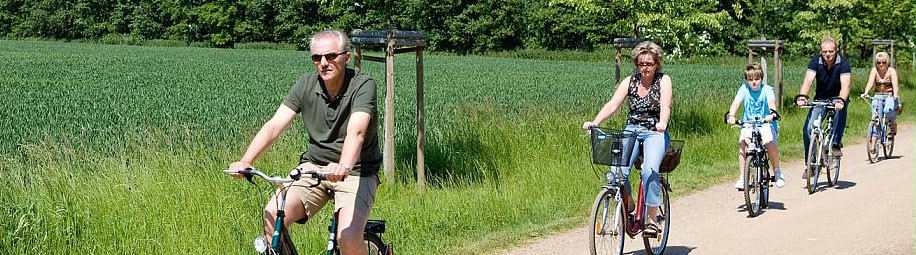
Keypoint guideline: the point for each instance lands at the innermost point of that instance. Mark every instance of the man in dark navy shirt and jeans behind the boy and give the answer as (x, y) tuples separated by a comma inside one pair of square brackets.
[(833, 76)]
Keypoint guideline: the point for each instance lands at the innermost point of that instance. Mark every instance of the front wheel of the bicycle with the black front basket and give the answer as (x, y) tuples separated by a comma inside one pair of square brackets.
[(605, 236)]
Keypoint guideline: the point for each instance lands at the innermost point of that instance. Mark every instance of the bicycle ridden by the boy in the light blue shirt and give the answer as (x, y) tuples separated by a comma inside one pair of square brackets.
[(756, 181)]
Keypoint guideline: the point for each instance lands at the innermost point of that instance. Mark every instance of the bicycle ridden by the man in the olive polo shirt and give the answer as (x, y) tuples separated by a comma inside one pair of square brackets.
[(281, 243)]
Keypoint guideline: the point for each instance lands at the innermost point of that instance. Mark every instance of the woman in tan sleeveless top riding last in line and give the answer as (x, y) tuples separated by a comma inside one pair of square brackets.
[(884, 78)]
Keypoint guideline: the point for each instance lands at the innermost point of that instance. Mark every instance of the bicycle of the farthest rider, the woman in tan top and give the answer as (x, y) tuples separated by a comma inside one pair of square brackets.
[(877, 130)]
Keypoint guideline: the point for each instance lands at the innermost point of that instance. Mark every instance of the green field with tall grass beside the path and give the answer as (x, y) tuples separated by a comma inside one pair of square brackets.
[(117, 149)]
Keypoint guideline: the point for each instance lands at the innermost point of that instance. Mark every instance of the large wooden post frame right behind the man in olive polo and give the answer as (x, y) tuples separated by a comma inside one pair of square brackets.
[(396, 42)]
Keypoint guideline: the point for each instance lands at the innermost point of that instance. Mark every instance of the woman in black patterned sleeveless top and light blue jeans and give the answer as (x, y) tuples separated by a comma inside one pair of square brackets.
[(649, 92)]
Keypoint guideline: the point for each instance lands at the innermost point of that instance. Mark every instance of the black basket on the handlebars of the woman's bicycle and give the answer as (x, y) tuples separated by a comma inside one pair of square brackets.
[(612, 148)]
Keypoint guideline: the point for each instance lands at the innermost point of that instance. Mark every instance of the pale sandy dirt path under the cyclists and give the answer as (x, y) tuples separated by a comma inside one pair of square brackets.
[(871, 211)]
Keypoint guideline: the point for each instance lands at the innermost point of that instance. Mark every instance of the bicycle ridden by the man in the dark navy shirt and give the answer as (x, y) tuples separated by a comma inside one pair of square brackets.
[(820, 153)]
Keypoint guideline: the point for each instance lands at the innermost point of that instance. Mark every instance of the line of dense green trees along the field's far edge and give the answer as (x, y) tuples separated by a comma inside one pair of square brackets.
[(684, 27)]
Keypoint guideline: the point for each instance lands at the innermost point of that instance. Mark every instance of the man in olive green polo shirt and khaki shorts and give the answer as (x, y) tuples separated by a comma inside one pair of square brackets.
[(338, 108)]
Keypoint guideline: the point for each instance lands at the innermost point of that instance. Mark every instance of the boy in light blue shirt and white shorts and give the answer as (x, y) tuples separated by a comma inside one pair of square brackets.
[(759, 102)]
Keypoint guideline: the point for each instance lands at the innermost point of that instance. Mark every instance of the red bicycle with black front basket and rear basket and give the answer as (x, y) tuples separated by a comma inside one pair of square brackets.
[(610, 216)]
